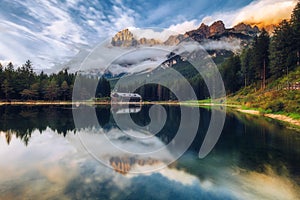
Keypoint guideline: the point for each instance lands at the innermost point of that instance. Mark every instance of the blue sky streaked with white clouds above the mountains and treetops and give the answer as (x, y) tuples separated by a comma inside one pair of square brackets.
[(51, 32)]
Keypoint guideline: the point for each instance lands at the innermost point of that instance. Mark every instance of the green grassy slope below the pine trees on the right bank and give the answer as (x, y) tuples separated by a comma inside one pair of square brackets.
[(274, 99)]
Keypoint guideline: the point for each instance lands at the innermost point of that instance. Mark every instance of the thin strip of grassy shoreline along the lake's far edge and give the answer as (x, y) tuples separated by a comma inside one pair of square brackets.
[(284, 117)]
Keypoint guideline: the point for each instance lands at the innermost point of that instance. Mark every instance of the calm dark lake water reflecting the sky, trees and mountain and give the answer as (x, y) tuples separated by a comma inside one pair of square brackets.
[(43, 156)]
